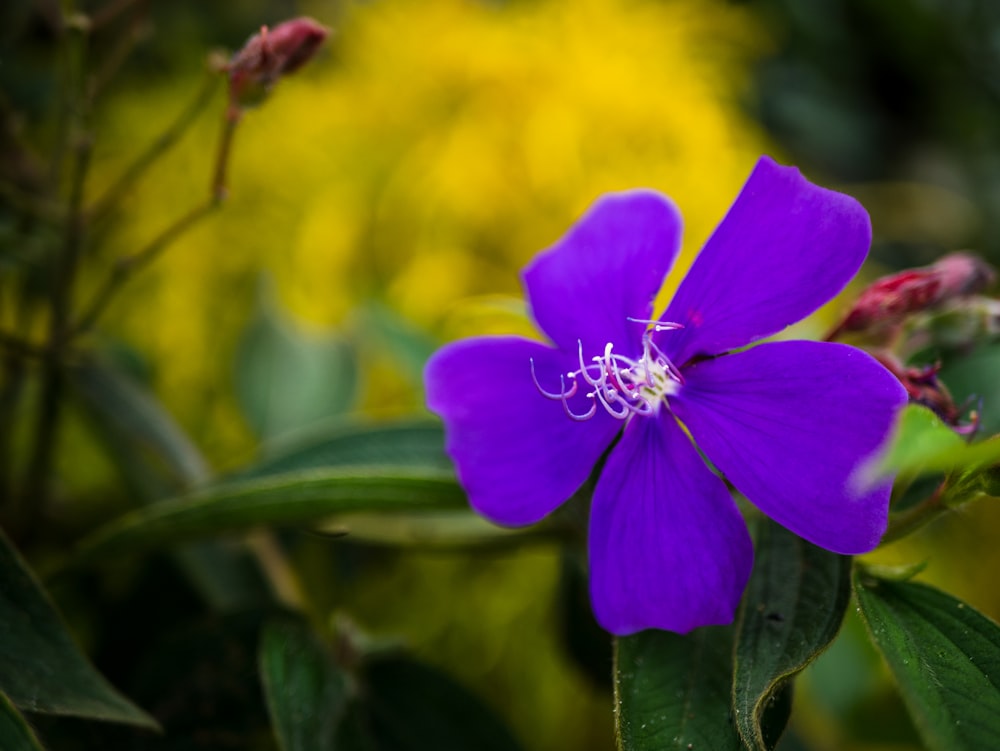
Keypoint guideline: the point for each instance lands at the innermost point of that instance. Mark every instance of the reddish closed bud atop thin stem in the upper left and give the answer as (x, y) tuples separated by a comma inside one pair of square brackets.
[(271, 54)]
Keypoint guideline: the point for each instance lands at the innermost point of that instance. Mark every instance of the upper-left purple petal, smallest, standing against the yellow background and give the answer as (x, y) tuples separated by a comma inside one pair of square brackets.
[(607, 268)]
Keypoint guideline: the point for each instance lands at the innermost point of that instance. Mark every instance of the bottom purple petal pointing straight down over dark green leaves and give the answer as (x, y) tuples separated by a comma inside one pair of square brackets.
[(668, 548)]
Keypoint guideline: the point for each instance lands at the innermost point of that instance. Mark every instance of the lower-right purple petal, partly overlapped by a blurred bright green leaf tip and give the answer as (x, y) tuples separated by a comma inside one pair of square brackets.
[(788, 423)]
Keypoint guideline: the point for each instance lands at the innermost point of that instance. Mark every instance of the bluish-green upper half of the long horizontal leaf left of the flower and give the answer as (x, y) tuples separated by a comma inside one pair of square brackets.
[(409, 443)]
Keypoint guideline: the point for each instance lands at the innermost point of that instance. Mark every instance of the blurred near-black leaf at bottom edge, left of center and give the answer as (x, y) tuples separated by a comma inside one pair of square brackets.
[(408, 706)]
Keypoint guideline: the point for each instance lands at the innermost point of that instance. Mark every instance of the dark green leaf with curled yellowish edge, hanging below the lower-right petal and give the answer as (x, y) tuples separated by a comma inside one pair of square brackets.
[(792, 610)]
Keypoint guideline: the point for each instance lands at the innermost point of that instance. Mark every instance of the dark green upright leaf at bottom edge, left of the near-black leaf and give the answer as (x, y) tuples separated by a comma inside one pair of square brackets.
[(306, 691)]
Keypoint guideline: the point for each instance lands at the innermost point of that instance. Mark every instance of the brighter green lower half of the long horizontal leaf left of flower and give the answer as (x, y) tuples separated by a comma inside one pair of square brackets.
[(296, 498)]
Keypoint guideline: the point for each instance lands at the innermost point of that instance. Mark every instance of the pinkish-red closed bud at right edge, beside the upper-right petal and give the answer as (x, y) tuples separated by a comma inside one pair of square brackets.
[(890, 299)]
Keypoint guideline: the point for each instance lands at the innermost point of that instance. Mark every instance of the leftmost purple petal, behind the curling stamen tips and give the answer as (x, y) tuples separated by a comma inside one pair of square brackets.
[(518, 455)]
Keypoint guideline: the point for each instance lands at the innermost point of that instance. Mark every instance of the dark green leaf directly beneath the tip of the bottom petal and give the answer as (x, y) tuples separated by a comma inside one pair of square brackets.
[(673, 691)]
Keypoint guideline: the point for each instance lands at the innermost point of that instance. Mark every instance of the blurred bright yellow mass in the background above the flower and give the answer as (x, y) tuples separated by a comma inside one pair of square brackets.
[(421, 162)]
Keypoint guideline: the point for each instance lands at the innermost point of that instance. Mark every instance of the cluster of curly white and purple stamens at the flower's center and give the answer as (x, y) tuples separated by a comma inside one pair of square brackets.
[(622, 385)]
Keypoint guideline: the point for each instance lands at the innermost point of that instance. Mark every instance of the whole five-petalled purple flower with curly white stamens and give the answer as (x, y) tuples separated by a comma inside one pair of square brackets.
[(786, 423)]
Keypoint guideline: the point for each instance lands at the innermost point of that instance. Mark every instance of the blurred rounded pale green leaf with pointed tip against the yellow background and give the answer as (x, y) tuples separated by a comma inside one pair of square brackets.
[(288, 378)]
